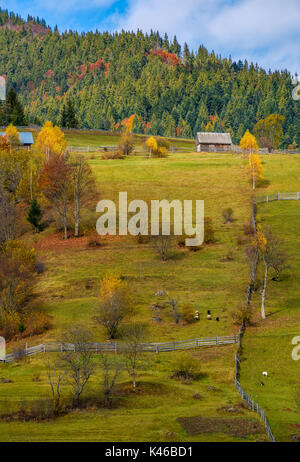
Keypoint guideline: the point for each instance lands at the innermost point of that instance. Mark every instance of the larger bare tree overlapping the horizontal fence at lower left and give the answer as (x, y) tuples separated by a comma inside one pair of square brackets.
[(79, 359)]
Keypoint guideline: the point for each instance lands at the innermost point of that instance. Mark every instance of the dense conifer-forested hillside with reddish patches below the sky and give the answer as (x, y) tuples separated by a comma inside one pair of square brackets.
[(171, 90)]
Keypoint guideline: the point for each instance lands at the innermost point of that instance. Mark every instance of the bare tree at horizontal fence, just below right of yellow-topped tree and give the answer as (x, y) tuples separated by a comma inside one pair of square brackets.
[(134, 335)]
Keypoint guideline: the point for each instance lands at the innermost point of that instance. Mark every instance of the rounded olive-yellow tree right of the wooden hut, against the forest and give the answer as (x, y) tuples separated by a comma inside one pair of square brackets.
[(269, 131)]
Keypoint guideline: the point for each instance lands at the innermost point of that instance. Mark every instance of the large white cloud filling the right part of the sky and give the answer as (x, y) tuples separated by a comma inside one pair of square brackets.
[(266, 31)]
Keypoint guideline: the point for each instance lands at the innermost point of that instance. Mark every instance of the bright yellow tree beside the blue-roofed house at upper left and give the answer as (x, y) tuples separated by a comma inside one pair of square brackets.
[(50, 140)]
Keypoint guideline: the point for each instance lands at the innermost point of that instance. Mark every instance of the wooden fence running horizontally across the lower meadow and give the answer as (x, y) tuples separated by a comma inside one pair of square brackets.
[(122, 347)]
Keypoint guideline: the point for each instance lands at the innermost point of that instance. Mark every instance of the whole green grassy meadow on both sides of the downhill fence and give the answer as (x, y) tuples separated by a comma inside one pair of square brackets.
[(206, 280)]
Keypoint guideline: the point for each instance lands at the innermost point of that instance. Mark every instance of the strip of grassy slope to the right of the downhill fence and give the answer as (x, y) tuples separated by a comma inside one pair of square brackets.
[(268, 345)]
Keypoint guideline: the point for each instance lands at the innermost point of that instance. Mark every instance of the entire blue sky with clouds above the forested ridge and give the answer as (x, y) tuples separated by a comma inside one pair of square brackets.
[(262, 31)]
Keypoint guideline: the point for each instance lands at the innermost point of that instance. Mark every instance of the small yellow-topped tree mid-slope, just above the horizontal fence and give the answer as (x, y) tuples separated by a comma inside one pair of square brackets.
[(115, 304)]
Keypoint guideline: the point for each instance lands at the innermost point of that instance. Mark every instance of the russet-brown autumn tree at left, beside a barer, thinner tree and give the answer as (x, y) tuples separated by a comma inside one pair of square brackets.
[(55, 181)]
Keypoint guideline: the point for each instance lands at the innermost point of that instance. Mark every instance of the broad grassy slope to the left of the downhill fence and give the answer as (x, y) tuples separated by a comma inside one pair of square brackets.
[(71, 285)]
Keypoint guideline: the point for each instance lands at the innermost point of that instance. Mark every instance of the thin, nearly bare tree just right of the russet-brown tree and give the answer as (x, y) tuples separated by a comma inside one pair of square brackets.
[(83, 185)]
